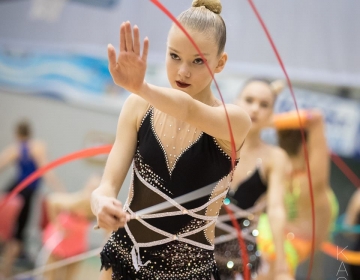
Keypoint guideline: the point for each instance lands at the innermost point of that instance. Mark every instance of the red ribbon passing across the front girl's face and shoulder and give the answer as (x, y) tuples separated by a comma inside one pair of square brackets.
[(232, 141)]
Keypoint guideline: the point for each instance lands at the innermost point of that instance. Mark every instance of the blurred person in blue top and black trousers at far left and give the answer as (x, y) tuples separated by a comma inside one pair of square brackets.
[(27, 155)]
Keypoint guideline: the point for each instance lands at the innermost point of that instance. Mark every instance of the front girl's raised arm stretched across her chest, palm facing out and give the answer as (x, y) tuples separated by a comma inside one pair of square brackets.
[(128, 71)]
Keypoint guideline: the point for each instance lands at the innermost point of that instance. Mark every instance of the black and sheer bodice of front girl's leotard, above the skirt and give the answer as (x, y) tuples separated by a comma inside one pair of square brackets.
[(167, 167)]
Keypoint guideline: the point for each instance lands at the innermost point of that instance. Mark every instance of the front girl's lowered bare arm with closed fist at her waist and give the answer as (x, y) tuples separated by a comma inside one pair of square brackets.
[(104, 204)]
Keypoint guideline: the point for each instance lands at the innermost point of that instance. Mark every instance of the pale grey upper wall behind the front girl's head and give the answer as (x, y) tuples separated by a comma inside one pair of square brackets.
[(318, 40)]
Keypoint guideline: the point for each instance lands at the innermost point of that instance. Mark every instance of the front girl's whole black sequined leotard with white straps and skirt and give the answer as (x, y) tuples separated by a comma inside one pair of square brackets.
[(174, 160)]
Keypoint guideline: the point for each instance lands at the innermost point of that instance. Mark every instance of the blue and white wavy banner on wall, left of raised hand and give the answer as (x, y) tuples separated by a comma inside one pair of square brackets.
[(74, 78)]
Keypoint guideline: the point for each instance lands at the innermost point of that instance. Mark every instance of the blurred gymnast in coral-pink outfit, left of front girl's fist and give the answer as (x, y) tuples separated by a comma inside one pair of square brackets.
[(65, 235)]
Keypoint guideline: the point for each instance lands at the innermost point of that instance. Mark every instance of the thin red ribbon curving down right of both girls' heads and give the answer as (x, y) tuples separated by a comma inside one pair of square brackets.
[(267, 33)]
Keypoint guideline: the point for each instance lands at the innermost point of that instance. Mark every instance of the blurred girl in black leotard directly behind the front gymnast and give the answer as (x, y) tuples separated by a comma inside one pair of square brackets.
[(259, 183)]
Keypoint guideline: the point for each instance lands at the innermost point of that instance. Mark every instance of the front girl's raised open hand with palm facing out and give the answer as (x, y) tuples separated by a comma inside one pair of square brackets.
[(128, 70)]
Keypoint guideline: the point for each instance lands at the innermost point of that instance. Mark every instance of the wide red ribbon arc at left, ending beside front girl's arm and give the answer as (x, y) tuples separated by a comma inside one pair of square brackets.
[(41, 171)]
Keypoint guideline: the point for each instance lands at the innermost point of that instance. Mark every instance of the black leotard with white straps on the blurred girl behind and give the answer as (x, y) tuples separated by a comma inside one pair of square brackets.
[(243, 203)]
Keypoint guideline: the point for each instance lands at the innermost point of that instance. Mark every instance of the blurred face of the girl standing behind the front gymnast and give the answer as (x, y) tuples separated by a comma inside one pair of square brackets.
[(258, 101)]
